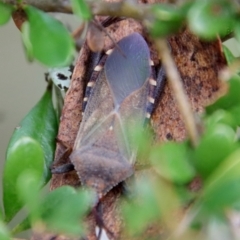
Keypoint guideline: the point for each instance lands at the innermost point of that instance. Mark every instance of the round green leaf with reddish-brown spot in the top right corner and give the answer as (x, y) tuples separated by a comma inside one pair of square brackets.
[(210, 18)]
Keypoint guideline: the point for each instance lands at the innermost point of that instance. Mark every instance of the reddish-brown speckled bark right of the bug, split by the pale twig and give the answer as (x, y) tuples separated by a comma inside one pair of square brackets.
[(198, 63)]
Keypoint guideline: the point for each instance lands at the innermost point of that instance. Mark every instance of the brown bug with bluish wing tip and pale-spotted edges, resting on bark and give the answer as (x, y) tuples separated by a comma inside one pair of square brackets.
[(102, 154)]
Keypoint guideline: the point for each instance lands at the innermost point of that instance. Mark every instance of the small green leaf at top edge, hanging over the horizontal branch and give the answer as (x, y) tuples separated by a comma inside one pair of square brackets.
[(81, 9)]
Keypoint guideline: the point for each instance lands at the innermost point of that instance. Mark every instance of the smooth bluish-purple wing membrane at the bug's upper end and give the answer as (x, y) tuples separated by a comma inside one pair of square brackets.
[(128, 70)]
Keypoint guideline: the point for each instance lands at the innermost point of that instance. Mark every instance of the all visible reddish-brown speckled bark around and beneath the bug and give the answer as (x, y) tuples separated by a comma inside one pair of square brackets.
[(198, 63)]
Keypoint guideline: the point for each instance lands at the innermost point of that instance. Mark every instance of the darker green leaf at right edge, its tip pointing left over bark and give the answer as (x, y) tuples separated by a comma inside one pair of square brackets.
[(231, 99)]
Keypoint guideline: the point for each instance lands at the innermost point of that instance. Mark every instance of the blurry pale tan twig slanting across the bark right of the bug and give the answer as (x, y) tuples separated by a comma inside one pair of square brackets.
[(178, 89)]
